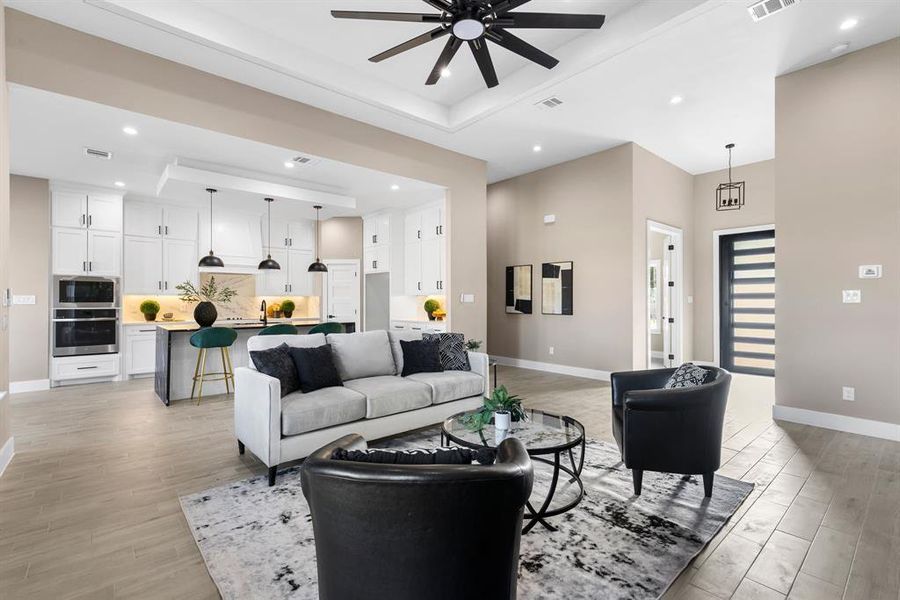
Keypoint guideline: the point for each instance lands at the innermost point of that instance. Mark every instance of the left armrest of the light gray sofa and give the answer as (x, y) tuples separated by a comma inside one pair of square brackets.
[(257, 414)]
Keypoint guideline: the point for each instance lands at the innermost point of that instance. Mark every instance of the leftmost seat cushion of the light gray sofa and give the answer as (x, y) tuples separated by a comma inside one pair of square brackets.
[(319, 409)]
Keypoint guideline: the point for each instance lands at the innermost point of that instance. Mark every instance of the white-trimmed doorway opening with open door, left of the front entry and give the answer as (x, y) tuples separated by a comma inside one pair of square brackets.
[(664, 287)]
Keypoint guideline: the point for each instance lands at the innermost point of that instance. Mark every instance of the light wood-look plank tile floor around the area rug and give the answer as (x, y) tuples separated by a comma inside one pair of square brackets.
[(89, 506)]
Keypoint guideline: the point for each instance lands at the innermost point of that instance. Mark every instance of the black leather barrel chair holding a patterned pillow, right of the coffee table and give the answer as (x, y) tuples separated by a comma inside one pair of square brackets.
[(675, 430)]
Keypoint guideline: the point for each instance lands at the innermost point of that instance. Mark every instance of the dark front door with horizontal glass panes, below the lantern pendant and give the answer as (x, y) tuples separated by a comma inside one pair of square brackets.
[(747, 303)]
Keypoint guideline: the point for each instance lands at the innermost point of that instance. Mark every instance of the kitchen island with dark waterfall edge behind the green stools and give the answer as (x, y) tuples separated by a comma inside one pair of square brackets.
[(176, 358)]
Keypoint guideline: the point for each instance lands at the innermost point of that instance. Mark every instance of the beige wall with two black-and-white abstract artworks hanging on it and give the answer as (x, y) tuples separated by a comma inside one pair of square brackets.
[(591, 198)]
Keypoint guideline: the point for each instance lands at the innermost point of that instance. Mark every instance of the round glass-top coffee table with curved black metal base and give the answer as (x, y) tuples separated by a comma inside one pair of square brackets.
[(549, 439)]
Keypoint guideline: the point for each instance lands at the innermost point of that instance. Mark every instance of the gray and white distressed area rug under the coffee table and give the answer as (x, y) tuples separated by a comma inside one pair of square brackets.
[(258, 541)]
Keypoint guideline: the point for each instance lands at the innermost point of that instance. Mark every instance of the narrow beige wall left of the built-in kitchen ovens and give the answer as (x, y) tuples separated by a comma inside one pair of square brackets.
[(29, 274)]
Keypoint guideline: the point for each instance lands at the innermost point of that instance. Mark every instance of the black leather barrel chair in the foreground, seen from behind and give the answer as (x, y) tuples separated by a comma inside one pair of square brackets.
[(410, 532)]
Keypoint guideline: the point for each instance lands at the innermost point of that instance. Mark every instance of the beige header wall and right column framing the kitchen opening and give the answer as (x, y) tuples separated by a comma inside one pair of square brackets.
[(44, 55)]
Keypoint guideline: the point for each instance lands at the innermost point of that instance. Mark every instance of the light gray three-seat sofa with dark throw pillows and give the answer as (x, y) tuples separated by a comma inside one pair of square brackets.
[(374, 402)]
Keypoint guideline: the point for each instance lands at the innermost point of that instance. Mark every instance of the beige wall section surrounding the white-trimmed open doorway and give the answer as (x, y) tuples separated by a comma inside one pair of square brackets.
[(662, 193)]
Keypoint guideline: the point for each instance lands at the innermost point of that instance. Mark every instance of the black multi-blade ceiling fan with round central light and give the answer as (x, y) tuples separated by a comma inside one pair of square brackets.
[(477, 22)]
